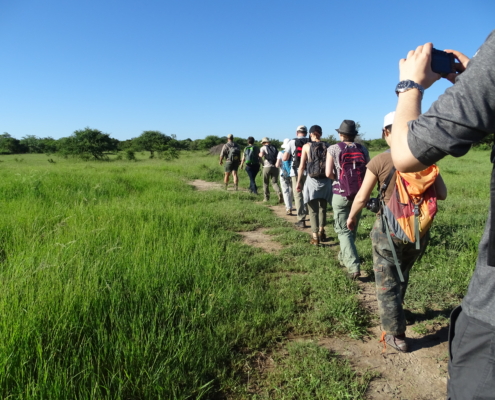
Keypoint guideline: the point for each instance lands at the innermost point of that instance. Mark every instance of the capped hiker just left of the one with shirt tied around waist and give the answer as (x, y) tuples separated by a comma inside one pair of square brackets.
[(293, 153)]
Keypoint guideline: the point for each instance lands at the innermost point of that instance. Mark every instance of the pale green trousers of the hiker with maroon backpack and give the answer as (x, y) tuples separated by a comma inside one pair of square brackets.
[(348, 255)]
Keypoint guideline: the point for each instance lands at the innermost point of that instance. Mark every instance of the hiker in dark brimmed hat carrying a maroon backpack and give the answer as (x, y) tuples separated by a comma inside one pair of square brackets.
[(346, 165)]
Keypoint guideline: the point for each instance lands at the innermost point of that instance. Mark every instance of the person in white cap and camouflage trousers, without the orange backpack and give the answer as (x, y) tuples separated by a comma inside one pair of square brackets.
[(390, 286)]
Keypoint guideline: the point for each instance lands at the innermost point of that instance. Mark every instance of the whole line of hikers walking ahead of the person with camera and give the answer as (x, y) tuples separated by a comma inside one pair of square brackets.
[(314, 174)]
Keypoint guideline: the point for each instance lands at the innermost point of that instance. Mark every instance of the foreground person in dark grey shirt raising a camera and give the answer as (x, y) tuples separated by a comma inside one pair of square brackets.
[(463, 115)]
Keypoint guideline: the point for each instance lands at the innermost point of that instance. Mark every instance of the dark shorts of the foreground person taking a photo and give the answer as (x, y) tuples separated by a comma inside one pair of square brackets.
[(472, 358)]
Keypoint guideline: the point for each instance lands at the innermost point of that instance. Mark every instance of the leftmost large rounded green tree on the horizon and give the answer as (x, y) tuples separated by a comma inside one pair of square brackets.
[(88, 142)]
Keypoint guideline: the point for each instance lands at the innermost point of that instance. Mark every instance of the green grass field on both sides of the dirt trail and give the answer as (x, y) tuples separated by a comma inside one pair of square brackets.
[(119, 281)]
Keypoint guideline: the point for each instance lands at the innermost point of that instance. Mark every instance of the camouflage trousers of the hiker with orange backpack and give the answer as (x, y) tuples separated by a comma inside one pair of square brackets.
[(390, 291)]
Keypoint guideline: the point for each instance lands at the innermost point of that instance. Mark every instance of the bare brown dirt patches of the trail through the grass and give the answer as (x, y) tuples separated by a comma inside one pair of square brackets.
[(420, 374)]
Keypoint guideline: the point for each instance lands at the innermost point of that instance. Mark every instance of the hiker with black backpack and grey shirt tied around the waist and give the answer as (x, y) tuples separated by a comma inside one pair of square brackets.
[(317, 189)]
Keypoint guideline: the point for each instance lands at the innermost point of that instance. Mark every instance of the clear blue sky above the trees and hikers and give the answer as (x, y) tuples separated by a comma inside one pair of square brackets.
[(208, 67)]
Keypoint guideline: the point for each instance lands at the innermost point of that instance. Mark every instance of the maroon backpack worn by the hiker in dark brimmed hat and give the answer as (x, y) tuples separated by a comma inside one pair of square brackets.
[(352, 169)]
